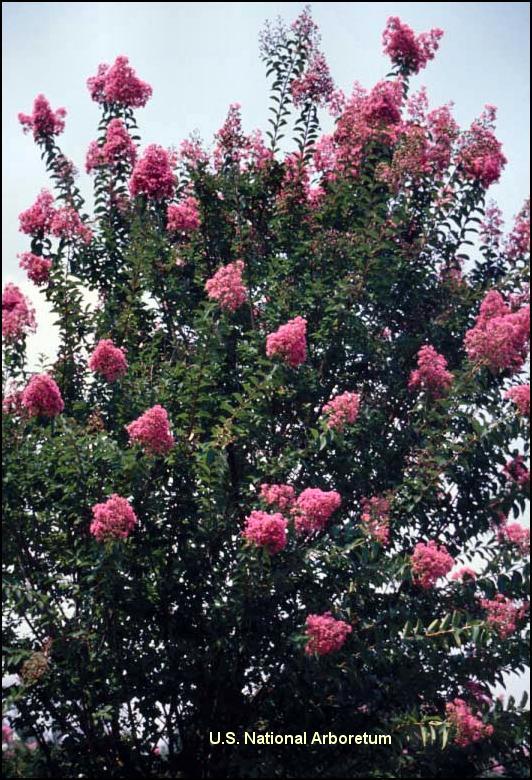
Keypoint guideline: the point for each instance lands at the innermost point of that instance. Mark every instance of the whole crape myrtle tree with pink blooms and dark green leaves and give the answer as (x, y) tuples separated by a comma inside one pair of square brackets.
[(271, 481)]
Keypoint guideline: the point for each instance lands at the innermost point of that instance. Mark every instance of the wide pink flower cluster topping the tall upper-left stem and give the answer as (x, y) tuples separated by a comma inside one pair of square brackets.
[(120, 84)]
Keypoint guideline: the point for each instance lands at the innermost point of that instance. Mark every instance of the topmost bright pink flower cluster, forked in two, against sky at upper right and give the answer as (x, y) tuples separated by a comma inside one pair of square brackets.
[(410, 52)]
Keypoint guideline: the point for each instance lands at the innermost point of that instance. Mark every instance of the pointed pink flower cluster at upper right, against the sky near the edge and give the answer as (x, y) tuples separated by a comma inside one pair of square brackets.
[(480, 154)]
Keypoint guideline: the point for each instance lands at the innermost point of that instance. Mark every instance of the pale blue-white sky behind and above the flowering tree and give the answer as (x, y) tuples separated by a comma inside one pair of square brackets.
[(200, 57)]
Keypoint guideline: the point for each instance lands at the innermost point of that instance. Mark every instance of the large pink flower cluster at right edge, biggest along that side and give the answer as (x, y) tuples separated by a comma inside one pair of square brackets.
[(500, 338)]
